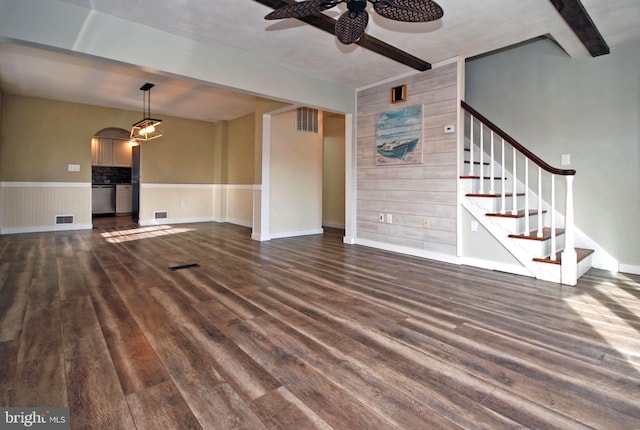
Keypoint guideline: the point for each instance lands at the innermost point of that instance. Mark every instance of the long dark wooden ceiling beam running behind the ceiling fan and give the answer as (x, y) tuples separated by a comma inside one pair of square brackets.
[(328, 24)]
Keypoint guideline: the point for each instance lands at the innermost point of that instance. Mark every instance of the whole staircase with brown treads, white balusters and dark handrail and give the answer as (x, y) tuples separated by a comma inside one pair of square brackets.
[(496, 182)]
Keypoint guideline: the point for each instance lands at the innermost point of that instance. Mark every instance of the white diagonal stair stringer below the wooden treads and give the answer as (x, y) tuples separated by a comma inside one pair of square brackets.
[(550, 273)]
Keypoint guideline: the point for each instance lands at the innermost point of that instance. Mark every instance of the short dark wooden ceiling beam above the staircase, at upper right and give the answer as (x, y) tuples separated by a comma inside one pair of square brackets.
[(580, 22)]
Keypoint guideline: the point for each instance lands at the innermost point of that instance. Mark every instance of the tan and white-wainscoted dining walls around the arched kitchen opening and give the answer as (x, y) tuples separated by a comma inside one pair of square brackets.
[(41, 137)]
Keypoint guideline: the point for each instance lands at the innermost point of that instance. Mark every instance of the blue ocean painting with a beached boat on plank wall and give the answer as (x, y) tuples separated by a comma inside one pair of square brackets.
[(399, 136)]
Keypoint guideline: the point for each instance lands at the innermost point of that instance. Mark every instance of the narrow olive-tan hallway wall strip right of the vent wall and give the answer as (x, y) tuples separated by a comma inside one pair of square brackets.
[(333, 174)]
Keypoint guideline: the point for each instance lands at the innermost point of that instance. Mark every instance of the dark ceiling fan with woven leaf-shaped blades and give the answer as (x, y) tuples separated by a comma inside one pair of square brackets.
[(351, 24)]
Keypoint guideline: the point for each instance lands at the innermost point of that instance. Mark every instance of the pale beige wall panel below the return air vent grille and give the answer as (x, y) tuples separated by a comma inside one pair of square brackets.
[(295, 179)]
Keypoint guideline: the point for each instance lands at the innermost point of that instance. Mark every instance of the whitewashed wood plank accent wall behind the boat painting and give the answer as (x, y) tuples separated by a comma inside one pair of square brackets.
[(410, 193)]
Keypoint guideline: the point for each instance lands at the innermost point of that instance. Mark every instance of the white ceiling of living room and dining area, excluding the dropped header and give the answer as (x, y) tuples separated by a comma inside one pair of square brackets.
[(468, 28)]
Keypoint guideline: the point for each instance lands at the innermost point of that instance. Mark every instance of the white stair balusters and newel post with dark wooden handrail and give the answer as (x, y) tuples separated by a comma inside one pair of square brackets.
[(520, 154)]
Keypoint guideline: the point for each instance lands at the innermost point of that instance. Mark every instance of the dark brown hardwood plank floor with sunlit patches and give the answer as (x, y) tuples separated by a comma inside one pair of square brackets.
[(305, 333)]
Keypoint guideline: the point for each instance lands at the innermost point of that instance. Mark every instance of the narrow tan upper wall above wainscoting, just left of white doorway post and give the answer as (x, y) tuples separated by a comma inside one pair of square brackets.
[(241, 142)]
